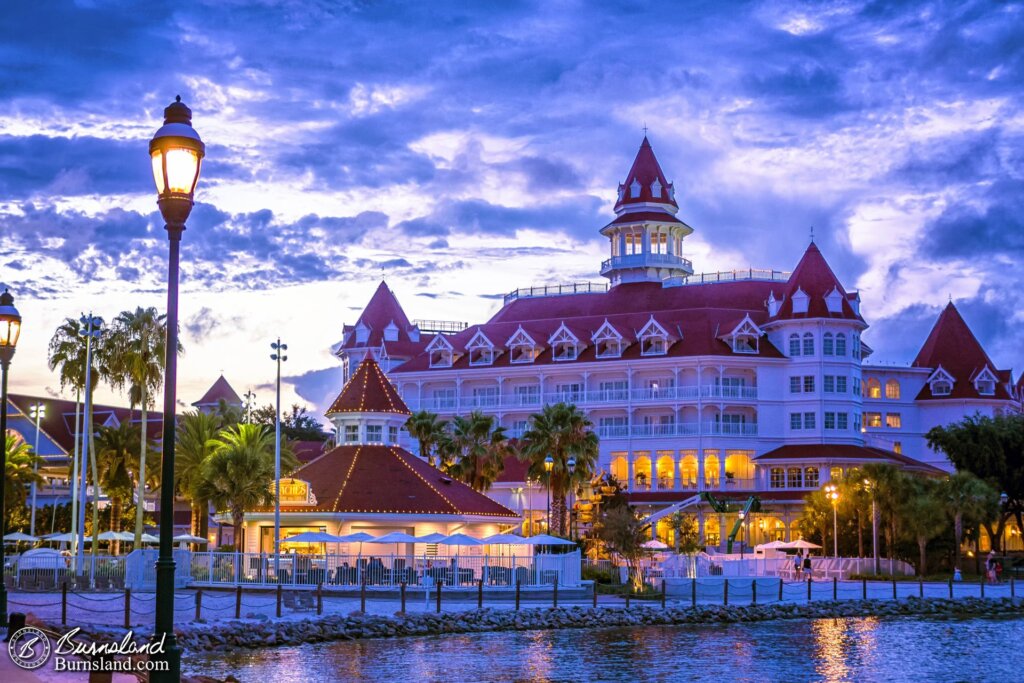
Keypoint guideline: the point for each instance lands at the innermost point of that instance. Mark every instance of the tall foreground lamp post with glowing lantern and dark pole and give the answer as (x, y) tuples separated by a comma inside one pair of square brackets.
[(177, 152)]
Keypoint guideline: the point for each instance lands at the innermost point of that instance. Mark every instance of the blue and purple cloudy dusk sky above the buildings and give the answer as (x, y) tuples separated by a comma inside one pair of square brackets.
[(461, 150)]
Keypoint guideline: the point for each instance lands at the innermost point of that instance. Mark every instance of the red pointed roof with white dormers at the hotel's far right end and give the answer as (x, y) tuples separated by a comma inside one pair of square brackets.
[(954, 347)]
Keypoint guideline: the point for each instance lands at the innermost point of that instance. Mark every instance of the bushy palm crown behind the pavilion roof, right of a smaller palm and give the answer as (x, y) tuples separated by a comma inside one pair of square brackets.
[(475, 451)]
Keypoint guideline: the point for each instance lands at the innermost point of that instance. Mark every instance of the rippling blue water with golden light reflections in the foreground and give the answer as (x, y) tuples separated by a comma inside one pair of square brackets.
[(844, 650)]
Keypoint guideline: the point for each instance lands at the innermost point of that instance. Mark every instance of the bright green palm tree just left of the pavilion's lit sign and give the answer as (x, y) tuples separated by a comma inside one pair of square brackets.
[(239, 475)]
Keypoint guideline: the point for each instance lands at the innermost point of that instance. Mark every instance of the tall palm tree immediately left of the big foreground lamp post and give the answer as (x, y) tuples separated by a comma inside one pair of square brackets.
[(136, 358)]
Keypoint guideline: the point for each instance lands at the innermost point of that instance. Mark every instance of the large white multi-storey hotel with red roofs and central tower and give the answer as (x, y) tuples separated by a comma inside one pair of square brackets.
[(747, 383)]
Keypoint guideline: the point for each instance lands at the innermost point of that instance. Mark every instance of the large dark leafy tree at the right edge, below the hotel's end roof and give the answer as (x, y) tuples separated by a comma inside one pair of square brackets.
[(992, 449)]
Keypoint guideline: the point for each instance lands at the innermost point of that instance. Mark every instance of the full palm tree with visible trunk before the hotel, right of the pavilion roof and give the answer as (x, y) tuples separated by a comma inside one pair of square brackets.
[(562, 432)]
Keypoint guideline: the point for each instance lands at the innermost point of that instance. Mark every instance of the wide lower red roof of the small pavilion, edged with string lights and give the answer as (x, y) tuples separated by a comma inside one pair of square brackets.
[(390, 480)]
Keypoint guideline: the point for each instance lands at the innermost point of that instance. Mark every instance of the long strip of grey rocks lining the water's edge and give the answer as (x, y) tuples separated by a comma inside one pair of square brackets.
[(259, 634)]
